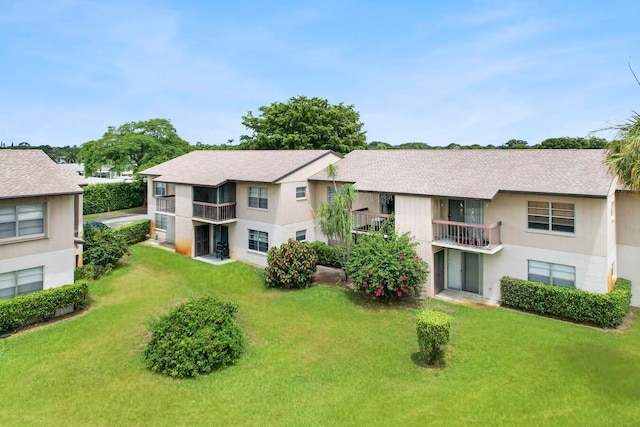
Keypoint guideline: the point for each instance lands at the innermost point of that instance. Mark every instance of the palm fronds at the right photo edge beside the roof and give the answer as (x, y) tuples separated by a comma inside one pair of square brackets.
[(623, 156)]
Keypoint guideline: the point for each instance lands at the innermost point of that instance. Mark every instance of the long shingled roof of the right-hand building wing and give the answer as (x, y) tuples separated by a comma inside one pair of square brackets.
[(477, 174)]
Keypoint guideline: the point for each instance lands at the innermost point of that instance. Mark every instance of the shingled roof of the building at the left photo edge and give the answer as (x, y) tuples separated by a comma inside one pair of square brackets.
[(25, 173)]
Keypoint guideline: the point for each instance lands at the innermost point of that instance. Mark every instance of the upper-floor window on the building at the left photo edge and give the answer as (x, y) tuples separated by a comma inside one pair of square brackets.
[(21, 220)]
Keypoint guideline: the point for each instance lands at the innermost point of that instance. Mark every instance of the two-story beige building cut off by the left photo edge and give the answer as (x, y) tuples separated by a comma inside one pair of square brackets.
[(40, 223)]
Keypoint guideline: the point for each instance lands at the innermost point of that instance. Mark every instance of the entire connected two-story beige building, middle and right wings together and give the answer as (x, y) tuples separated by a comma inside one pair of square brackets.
[(554, 216)]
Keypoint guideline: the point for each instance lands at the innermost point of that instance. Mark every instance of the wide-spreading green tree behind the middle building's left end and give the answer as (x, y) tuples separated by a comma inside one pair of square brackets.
[(134, 146)]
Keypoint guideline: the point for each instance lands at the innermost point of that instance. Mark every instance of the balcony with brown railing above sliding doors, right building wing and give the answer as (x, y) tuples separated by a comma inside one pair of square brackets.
[(480, 238)]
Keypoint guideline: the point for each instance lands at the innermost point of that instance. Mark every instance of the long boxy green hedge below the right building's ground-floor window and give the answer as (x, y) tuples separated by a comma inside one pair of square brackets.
[(604, 310)]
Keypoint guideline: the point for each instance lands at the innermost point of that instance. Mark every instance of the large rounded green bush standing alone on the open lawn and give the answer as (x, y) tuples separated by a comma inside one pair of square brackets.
[(194, 338)]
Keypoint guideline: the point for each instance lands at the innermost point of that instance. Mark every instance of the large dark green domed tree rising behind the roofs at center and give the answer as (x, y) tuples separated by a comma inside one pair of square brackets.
[(302, 124)]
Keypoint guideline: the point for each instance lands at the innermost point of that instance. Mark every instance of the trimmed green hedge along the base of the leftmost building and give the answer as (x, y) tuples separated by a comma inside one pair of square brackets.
[(15, 313)]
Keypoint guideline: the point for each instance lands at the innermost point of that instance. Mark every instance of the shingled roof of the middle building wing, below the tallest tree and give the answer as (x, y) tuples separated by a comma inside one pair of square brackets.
[(213, 168)]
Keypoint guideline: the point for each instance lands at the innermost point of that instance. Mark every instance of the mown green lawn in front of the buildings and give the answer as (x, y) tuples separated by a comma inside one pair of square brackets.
[(315, 357)]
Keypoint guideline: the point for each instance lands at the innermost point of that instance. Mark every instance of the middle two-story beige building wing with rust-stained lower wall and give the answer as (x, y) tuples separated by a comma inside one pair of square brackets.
[(244, 201)]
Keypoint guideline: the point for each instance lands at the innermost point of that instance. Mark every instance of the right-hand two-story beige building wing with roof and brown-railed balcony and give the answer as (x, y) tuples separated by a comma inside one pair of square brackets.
[(546, 215)]
